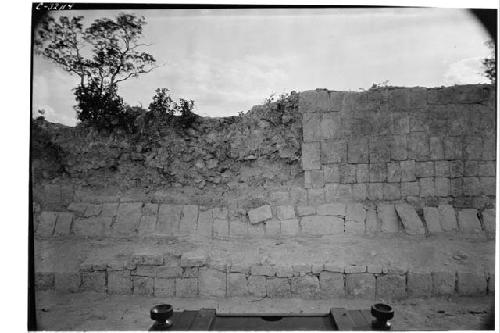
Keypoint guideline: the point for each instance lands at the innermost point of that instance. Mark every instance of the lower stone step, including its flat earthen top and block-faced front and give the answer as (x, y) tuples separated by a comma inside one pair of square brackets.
[(340, 266)]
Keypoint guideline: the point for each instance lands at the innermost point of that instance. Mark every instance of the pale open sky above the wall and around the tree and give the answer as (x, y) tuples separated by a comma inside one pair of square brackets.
[(229, 60)]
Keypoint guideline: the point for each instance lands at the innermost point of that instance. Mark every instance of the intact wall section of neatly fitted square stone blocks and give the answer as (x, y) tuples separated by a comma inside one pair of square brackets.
[(423, 146)]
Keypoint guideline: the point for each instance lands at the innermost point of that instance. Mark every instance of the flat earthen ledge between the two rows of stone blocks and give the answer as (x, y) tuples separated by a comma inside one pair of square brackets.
[(435, 253)]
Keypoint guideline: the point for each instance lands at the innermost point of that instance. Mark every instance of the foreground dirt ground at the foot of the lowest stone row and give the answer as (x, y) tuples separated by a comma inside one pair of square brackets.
[(92, 311)]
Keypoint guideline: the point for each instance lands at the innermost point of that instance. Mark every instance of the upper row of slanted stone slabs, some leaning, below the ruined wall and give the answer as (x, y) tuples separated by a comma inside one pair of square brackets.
[(145, 219)]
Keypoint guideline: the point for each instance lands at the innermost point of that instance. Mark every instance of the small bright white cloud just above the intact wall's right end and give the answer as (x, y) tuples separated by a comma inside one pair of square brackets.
[(465, 71)]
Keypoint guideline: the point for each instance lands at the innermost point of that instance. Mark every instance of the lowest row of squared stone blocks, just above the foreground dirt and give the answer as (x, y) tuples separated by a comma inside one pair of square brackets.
[(191, 275)]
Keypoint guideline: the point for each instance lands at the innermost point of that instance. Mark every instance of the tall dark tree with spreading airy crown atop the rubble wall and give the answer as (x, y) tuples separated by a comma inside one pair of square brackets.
[(102, 55)]
